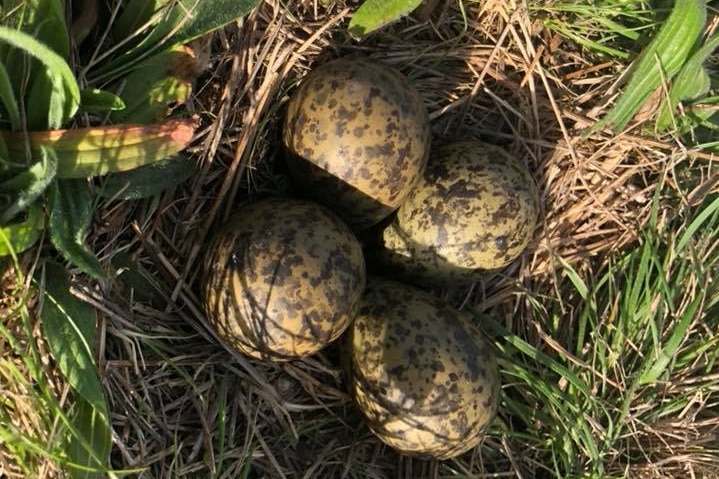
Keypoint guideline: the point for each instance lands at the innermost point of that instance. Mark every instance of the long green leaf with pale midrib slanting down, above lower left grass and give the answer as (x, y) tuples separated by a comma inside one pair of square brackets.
[(70, 330)]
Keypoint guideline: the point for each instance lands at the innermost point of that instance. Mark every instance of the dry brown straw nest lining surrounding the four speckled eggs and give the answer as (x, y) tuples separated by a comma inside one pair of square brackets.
[(178, 400)]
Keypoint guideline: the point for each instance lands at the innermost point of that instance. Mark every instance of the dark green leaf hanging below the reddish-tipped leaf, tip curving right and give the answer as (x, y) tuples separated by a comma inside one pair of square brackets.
[(70, 217)]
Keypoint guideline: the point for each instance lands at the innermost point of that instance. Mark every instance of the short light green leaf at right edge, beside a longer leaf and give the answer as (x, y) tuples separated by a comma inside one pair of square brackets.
[(692, 82)]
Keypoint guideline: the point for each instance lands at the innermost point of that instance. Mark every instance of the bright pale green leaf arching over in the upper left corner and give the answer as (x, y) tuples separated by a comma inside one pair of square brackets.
[(63, 87)]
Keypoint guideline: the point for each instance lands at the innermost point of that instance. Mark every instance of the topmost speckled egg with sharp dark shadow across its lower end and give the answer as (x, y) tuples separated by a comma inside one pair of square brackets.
[(357, 138)]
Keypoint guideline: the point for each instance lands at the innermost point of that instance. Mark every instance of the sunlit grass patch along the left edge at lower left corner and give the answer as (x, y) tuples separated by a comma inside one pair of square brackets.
[(32, 431)]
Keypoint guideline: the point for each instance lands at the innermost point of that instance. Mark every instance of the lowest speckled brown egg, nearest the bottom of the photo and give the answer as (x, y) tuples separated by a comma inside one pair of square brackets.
[(421, 372)]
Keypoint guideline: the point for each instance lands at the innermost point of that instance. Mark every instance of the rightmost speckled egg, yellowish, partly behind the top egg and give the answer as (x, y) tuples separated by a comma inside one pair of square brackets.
[(474, 210)]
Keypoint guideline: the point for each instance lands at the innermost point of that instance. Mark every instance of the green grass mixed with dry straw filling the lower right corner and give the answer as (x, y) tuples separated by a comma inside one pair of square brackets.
[(623, 376)]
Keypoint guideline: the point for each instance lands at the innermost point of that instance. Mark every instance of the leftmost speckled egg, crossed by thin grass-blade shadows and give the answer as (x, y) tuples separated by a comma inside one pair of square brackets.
[(282, 279)]
